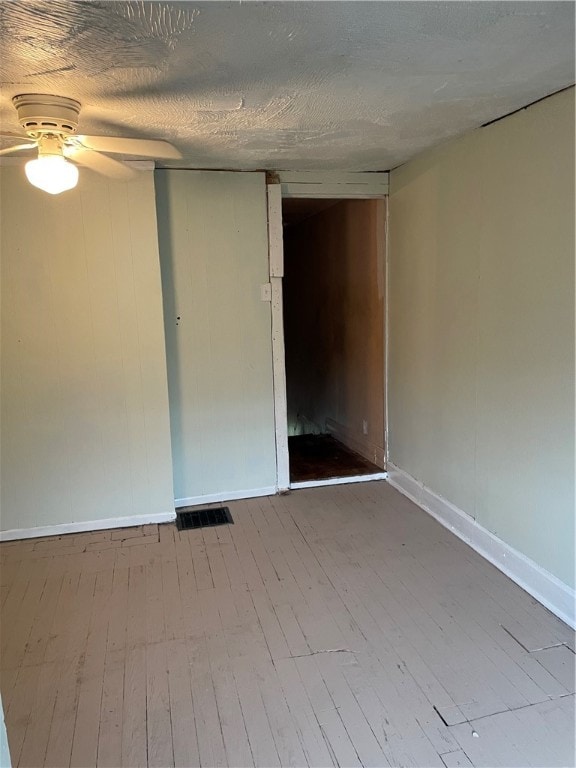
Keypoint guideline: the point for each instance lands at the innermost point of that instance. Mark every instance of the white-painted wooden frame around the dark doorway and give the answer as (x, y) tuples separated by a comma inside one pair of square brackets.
[(311, 184)]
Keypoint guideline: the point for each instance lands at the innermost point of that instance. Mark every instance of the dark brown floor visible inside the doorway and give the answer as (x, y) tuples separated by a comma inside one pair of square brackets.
[(321, 457)]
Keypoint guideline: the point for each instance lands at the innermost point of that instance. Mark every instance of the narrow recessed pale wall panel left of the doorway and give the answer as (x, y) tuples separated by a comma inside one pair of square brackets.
[(214, 253)]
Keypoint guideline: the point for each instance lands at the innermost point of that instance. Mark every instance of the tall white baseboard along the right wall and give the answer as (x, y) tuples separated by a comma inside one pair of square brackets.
[(544, 586)]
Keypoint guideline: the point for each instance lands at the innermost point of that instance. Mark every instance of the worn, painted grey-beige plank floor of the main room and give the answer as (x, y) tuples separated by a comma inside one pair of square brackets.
[(331, 626)]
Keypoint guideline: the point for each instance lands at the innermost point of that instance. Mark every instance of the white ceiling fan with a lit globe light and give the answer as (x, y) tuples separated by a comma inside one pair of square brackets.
[(50, 123)]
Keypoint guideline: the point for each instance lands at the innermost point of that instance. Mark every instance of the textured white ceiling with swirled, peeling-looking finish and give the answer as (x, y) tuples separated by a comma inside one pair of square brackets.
[(299, 85)]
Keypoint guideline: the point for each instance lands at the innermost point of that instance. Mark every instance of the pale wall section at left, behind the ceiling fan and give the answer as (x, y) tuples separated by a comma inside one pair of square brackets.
[(85, 422)]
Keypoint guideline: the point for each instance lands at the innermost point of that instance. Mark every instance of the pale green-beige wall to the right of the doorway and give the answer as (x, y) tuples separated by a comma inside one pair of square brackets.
[(481, 389)]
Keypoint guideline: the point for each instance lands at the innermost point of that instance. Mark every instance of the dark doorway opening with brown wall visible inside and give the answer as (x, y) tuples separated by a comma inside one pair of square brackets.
[(333, 313)]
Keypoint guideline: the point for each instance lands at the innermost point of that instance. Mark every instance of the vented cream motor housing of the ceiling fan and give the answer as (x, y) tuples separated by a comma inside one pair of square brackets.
[(40, 113)]
